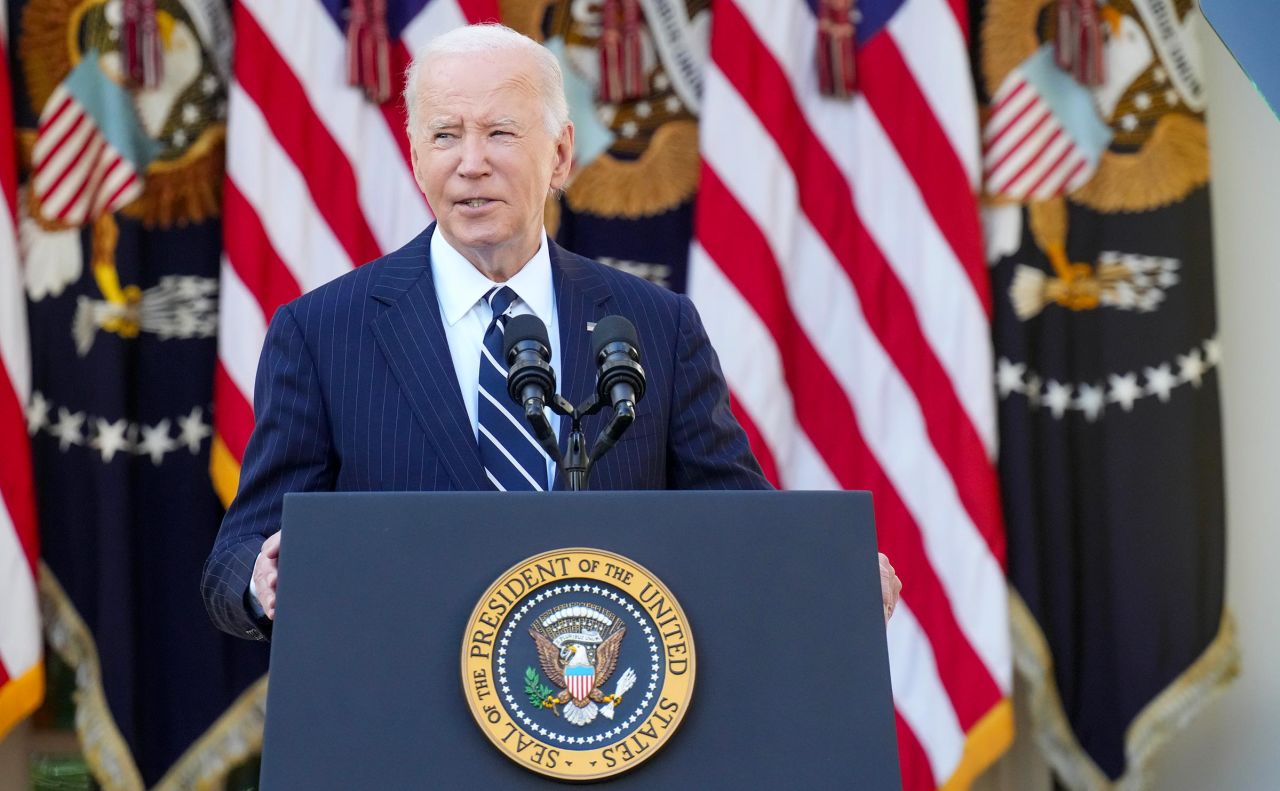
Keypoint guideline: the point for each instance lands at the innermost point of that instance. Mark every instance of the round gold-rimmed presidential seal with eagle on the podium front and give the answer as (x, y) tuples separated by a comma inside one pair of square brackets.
[(578, 665)]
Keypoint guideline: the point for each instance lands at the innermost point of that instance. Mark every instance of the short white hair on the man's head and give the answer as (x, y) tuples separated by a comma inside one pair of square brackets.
[(491, 38)]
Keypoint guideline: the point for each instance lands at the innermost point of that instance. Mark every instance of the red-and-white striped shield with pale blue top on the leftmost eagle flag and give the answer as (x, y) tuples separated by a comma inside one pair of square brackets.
[(90, 150)]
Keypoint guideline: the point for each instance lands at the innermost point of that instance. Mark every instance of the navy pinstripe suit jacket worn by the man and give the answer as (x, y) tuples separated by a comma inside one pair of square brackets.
[(356, 392)]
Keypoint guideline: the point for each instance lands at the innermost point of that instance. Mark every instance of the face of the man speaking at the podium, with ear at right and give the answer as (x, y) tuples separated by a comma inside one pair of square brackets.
[(484, 159)]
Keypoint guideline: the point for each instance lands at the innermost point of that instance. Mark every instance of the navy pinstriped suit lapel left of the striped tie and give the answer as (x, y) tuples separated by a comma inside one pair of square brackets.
[(412, 335)]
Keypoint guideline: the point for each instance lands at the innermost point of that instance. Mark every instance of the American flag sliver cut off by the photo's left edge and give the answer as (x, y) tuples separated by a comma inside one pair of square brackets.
[(22, 683)]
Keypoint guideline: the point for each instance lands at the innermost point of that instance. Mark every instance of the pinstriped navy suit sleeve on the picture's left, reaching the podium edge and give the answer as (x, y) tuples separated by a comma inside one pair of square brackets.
[(290, 451)]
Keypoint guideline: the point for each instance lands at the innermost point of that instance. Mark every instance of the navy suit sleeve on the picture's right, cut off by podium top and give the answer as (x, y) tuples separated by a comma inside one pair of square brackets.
[(706, 447)]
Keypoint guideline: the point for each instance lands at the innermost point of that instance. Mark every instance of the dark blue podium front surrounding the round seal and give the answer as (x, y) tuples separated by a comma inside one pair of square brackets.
[(781, 591)]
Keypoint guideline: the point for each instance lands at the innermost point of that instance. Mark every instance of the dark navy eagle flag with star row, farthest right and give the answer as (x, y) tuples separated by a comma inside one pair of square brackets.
[(1107, 373)]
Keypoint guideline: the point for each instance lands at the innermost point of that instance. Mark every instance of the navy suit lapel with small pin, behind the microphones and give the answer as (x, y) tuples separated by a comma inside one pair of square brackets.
[(580, 298)]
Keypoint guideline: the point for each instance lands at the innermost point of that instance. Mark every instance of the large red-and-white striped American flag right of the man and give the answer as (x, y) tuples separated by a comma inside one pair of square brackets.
[(838, 266)]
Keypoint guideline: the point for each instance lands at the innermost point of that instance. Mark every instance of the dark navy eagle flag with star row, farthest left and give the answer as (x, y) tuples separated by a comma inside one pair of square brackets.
[(121, 244)]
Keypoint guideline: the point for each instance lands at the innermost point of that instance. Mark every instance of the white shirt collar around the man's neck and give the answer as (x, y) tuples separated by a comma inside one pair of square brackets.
[(459, 285)]
